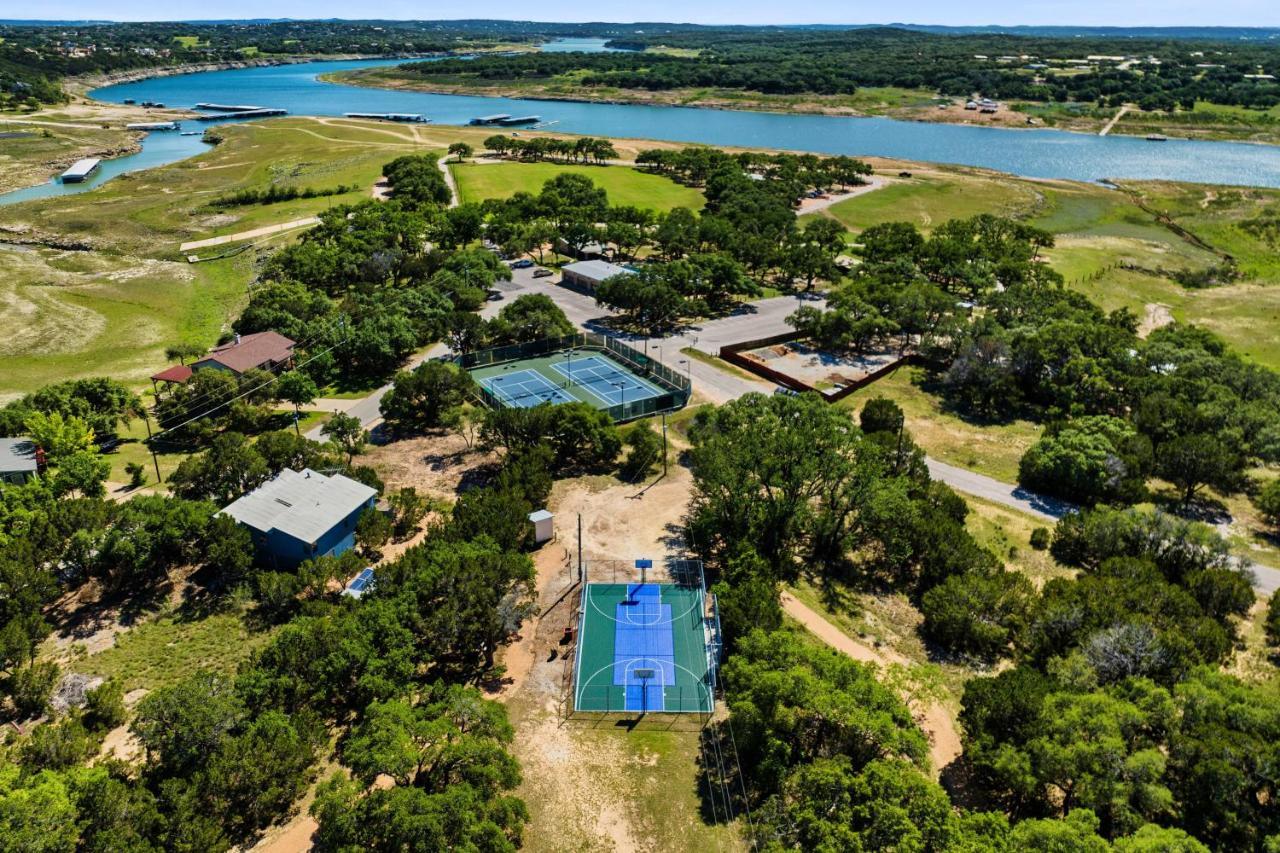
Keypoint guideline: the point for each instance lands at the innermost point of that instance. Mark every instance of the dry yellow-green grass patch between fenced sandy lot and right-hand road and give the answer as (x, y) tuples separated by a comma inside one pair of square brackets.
[(989, 449)]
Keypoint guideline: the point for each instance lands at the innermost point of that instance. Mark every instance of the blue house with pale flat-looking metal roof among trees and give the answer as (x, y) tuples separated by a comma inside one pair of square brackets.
[(303, 516)]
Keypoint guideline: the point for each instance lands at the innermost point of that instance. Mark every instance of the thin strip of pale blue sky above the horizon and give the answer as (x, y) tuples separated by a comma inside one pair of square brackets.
[(1127, 13)]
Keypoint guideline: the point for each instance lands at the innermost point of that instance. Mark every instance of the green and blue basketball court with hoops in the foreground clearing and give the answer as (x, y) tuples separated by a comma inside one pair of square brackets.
[(643, 649)]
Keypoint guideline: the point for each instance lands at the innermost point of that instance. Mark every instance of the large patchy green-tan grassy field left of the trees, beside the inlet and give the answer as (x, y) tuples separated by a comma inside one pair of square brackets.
[(113, 311)]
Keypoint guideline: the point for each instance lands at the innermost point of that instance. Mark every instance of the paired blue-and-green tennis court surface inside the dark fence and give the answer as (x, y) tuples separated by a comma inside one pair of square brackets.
[(564, 377)]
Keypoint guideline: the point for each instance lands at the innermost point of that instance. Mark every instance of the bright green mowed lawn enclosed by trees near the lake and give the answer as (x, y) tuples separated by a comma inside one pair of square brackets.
[(625, 186)]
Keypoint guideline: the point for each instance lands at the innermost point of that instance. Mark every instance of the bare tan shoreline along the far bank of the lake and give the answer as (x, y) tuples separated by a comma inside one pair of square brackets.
[(362, 80)]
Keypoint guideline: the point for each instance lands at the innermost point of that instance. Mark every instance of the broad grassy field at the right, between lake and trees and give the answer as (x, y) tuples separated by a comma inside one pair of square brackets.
[(1113, 249)]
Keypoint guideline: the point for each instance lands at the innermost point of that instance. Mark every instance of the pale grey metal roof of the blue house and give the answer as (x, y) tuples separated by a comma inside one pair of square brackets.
[(304, 505)]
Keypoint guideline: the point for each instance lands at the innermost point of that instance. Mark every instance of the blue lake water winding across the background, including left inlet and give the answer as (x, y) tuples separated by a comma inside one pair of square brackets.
[(1034, 153)]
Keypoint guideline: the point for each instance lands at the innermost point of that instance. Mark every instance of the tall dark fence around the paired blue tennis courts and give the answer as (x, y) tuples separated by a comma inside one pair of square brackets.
[(676, 387)]
